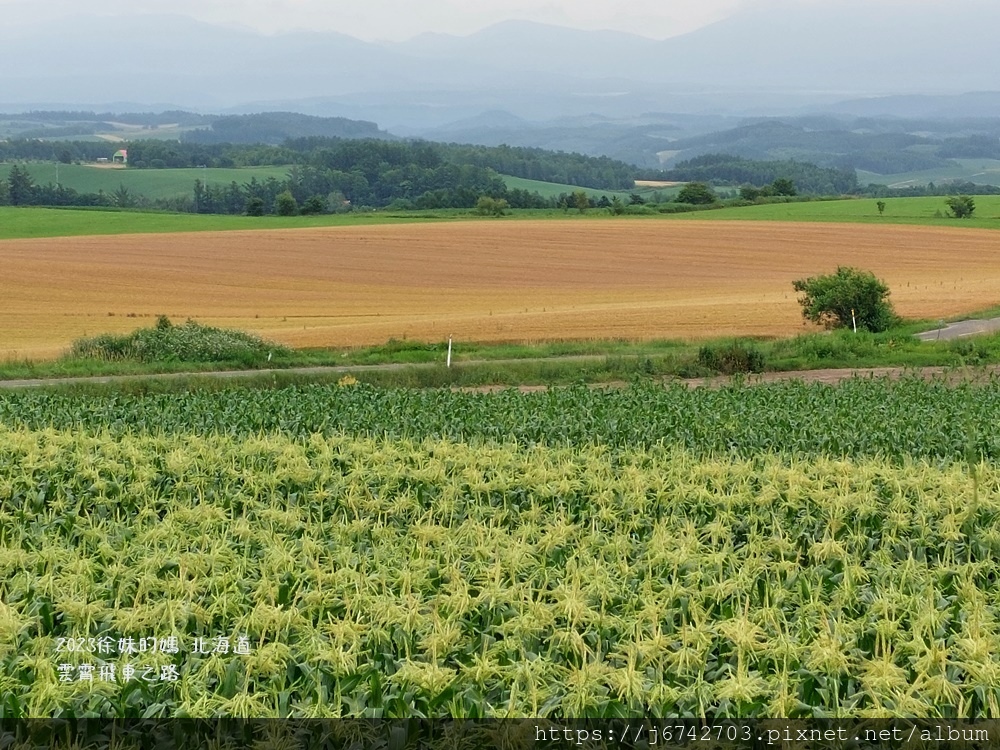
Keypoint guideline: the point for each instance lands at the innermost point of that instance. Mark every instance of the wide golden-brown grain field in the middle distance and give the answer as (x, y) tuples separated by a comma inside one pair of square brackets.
[(484, 281)]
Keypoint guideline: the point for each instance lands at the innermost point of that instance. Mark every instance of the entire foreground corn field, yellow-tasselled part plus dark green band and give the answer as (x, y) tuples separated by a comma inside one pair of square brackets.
[(782, 551)]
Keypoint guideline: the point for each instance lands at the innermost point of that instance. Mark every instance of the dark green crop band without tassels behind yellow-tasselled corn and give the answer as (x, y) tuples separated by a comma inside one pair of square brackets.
[(861, 417)]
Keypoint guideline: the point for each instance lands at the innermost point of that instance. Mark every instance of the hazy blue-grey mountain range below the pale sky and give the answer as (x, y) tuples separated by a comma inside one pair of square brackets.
[(769, 60)]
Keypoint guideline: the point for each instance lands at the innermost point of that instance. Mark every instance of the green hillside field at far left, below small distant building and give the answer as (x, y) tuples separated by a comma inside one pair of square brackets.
[(151, 183)]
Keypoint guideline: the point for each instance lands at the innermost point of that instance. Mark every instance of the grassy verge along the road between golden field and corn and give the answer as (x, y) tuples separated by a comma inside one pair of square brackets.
[(561, 362)]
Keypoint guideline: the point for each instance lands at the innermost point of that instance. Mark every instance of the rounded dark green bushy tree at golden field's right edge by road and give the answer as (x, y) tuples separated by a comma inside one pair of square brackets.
[(830, 300)]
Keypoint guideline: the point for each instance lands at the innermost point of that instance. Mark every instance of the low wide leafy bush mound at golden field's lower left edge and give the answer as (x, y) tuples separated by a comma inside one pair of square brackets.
[(166, 342)]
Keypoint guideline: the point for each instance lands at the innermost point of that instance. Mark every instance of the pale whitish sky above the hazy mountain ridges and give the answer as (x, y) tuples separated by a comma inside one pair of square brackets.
[(373, 20)]
